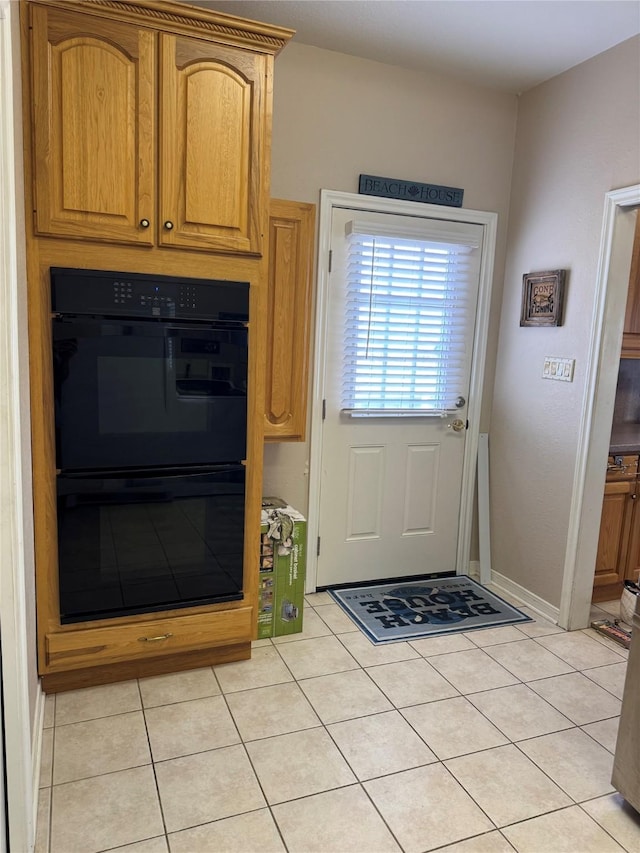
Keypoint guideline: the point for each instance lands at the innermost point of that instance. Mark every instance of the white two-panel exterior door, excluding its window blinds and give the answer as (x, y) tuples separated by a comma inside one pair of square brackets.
[(390, 490)]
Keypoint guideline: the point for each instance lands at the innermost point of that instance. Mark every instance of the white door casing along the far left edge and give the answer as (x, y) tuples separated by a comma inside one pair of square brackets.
[(21, 778)]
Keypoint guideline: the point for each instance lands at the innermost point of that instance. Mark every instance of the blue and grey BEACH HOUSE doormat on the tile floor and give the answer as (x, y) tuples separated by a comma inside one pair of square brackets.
[(391, 612)]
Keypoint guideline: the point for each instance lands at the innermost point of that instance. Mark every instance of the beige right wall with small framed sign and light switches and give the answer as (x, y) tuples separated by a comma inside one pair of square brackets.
[(578, 137)]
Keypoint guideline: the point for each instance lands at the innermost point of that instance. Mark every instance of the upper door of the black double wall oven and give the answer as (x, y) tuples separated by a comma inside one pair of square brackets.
[(132, 394)]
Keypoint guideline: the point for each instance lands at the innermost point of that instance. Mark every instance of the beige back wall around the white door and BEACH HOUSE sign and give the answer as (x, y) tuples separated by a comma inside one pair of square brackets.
[(337, 116)]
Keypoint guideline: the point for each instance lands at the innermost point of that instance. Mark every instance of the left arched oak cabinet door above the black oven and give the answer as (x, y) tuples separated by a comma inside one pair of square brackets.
[(93, 127)]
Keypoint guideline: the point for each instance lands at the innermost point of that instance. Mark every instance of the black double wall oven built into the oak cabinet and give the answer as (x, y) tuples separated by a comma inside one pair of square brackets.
[(150, 392)]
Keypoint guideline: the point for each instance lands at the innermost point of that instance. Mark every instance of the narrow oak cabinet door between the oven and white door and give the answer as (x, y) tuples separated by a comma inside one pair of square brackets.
[(291, 243)]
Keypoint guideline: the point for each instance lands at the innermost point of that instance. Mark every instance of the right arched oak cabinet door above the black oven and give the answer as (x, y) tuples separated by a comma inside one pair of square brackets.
[(212, 165)]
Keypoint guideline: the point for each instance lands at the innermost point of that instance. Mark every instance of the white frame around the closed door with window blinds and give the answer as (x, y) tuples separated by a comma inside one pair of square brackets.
[(330, 199)]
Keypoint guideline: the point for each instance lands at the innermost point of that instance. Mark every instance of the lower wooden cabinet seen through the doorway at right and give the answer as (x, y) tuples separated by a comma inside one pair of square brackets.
[(618, 556)]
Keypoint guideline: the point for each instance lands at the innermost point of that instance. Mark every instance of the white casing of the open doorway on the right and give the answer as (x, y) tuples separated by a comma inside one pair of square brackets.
[(612, 283)]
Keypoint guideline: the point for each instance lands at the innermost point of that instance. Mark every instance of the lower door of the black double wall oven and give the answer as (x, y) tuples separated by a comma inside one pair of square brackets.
[(138, 542)]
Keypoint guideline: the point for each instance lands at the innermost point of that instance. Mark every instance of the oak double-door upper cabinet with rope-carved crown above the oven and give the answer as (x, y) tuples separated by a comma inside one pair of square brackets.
[(151, 129)]
